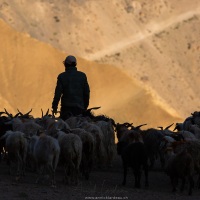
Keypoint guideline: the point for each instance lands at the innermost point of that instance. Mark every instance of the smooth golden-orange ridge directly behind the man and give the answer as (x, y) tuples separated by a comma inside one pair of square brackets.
[(29, 69)]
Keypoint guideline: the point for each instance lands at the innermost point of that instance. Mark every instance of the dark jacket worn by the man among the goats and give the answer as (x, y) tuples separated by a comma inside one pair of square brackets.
[(73, 89)]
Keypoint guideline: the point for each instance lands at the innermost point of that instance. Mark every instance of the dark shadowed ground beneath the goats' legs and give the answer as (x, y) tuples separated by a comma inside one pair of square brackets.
[(103, 184)]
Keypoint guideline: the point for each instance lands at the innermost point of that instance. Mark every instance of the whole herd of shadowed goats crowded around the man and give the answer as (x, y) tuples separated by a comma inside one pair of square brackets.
[(85, 142)]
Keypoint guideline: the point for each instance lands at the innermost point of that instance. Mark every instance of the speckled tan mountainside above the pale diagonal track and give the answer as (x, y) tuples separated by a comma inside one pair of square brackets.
[(75, 25)]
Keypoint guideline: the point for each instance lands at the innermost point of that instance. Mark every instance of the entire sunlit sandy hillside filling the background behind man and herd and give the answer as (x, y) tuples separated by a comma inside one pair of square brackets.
[(152, 48)]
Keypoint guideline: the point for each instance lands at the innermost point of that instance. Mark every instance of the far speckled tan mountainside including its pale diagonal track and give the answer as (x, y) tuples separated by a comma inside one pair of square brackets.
[(156, 43)]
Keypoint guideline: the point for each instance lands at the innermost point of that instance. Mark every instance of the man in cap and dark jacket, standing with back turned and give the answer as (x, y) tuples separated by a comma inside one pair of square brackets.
[(73, 89)]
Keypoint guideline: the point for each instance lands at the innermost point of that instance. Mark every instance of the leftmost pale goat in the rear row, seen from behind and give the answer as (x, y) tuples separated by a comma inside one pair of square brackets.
[(16, 146)]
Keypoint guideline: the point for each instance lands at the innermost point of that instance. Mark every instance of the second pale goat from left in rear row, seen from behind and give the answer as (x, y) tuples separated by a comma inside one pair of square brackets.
[(46, 154)]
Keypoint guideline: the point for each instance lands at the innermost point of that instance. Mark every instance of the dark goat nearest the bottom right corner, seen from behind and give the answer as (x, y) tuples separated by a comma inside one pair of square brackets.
[(181, 166)]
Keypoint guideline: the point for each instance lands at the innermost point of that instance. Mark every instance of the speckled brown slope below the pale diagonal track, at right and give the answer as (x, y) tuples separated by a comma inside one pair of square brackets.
[(167, 64)]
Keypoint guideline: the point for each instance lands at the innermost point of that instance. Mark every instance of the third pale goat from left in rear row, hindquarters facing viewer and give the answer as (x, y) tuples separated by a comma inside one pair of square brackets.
[(71, 155)]
